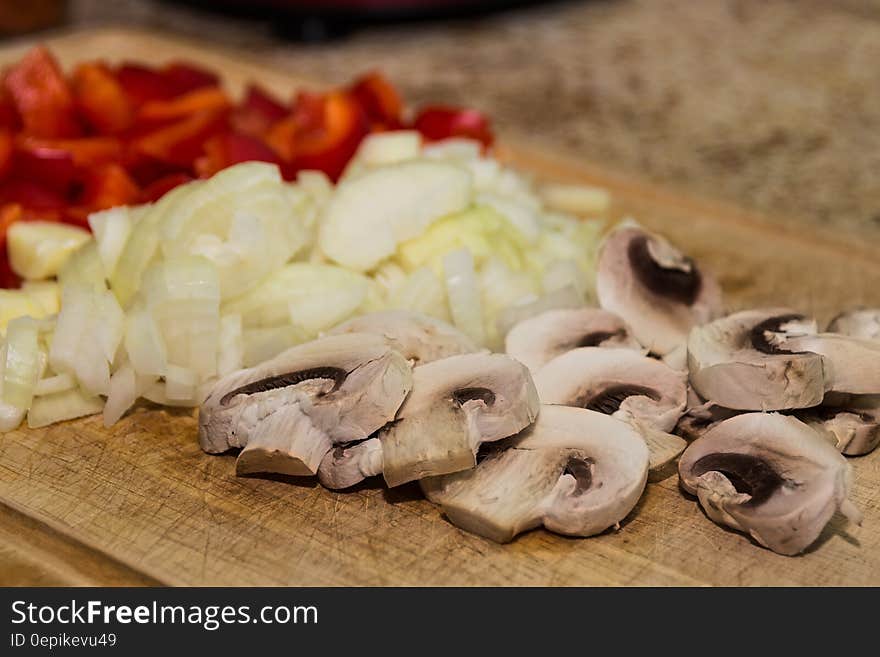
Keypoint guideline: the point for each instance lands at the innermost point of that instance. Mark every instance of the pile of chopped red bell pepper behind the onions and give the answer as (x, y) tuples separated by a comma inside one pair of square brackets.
[(106, 136)]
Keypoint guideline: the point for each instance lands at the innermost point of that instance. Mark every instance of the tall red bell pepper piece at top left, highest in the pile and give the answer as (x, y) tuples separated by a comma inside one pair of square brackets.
[(41, 96)]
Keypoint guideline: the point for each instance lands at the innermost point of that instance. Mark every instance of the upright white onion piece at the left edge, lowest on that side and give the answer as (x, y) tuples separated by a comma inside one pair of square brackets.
[(22, 362)]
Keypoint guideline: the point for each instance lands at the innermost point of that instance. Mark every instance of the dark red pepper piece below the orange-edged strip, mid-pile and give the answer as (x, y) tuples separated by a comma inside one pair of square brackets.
[(180, 143)]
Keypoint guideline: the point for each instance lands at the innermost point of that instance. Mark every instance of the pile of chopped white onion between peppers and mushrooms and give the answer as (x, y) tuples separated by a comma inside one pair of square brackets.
[(162, 298)]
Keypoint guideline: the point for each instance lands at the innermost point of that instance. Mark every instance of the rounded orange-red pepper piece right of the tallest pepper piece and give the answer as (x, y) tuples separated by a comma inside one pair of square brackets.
[(101, 100)]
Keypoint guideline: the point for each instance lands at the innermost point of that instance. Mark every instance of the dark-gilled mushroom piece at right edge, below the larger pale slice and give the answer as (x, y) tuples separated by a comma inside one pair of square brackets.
[(851, 422)]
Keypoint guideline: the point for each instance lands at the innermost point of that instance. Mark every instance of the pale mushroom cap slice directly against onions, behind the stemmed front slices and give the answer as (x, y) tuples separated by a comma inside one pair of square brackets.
[(418, 337)]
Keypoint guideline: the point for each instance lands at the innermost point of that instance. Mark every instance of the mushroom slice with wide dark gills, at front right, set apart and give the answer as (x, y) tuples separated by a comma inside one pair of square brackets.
[(769, 475)]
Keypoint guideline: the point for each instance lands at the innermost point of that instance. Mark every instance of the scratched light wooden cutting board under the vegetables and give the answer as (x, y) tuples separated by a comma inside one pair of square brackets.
[(141, 504)]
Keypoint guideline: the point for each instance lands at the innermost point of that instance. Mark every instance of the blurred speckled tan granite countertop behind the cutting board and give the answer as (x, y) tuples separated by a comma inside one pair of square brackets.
[(771, 104)]
